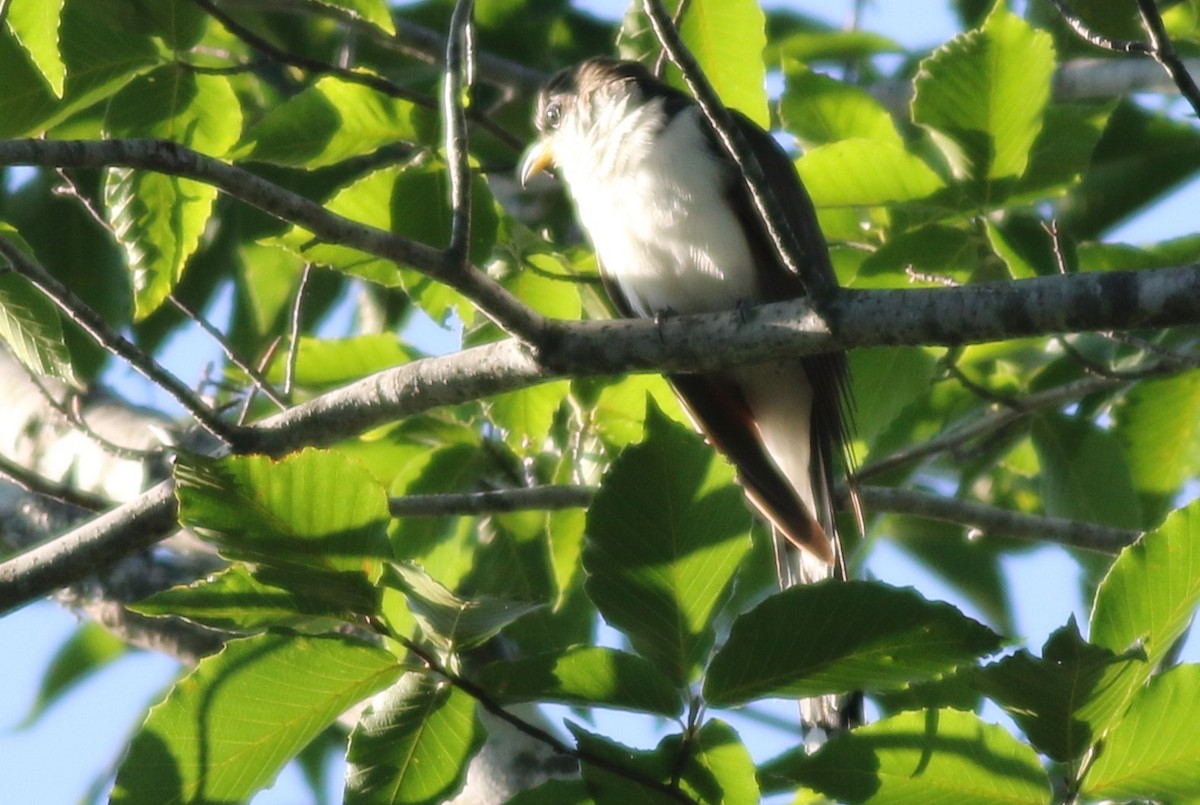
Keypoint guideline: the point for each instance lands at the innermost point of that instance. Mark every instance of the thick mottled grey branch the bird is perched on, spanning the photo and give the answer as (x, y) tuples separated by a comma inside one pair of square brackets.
[(1119, 301)]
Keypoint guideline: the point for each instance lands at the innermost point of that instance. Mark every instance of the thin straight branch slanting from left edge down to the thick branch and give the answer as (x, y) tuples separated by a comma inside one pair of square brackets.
[(115, 343)]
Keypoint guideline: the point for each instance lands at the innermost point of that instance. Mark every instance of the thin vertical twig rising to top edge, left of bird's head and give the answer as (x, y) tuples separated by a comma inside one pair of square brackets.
[(457, 87)]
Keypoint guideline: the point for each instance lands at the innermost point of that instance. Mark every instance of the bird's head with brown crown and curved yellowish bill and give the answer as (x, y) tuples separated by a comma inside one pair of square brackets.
[(587, 115)]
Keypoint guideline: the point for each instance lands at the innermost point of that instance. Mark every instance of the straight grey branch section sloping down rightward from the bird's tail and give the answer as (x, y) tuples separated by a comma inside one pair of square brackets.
[(999, 522)]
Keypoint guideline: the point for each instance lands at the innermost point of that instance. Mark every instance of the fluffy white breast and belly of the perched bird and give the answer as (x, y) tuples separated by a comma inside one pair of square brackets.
[(655, 211)]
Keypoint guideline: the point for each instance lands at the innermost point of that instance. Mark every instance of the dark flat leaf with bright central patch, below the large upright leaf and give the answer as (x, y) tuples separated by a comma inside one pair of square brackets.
[(585, 677)]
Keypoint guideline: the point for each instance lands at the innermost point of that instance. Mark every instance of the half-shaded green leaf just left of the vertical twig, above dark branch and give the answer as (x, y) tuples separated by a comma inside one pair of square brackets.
[(333, 121)]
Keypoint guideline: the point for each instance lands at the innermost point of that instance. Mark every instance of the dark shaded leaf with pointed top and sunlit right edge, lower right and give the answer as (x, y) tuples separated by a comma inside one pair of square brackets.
[(1066, 701)]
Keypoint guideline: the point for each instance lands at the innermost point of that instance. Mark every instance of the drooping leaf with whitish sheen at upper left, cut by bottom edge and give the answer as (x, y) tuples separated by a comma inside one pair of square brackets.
[(415, 744)]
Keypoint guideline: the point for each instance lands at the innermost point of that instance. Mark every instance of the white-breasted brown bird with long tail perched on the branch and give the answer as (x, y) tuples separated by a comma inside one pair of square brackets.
[(676, 231)]
